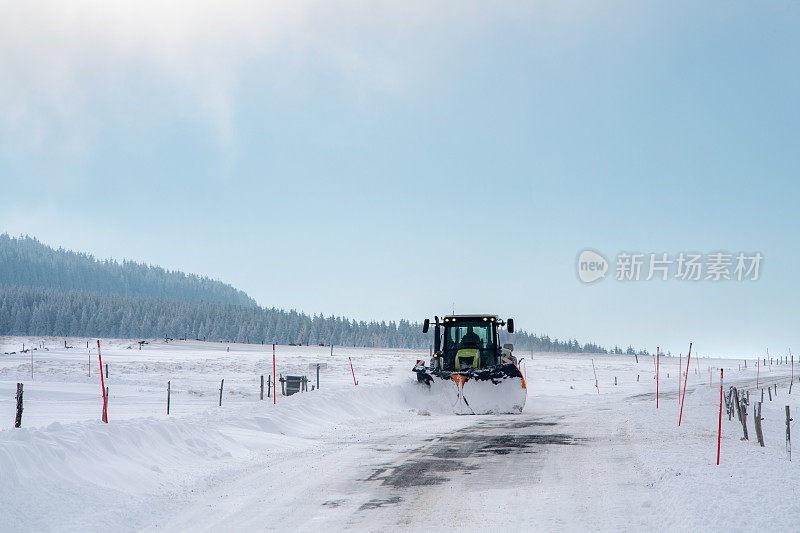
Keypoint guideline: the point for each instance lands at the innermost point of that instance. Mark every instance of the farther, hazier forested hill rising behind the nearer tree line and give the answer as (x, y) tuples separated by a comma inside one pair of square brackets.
[(26, 262)]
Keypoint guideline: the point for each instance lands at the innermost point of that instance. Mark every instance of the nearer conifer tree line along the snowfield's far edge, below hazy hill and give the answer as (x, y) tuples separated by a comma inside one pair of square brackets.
[(50, 312)]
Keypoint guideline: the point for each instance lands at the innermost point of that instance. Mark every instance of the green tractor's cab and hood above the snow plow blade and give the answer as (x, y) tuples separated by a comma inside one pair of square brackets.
[(468, 341)]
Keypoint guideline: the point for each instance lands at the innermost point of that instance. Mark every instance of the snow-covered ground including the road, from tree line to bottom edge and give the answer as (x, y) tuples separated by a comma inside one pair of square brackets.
[(382, 455)]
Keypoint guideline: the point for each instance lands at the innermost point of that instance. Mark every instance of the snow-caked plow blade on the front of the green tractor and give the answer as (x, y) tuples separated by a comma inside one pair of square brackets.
[(497, 390)]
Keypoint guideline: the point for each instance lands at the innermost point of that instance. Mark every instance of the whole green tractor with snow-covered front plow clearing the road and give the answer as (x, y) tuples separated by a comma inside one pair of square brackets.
[(470, 367)]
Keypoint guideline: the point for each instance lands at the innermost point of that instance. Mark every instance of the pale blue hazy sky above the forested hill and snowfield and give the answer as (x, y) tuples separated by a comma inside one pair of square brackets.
[(403, 159)]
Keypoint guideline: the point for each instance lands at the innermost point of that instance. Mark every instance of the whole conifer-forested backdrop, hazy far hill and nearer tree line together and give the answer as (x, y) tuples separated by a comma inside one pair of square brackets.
[(61, 293)]
